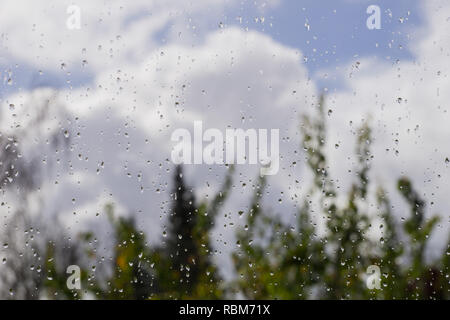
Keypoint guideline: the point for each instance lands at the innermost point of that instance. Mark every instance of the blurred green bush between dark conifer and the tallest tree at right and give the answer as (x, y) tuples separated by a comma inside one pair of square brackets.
[(275, 261)]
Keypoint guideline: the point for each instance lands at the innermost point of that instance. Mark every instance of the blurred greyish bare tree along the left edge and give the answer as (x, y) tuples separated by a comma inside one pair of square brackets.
[(23, 272)]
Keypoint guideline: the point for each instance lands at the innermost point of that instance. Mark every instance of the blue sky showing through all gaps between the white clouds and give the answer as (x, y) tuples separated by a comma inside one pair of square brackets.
[(337, 34)]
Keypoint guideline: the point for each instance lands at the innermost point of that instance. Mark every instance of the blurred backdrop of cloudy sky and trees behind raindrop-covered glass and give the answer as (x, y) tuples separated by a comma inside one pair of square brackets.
[(91, 92)]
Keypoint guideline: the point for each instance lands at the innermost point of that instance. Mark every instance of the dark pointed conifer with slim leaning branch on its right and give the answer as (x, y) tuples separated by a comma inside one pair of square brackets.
[(184, 265)]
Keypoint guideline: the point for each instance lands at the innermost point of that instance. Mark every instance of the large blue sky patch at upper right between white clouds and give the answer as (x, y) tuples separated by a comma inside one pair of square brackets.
[(333, 32)]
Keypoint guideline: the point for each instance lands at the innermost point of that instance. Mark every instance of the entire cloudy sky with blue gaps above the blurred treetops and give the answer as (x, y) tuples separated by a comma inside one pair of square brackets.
[(137, 70)]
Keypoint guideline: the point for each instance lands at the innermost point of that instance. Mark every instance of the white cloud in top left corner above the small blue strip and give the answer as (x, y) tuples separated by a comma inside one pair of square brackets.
[(111, 33)]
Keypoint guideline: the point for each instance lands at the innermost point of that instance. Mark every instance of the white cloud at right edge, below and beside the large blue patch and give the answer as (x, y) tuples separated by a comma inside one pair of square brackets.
[(407, 103)]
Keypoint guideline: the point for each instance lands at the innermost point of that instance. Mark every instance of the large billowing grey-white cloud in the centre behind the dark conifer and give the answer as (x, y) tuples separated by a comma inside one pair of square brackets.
[(120, 126)]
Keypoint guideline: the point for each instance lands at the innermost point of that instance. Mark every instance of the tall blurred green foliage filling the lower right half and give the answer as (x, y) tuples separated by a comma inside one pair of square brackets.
[(276, 261)]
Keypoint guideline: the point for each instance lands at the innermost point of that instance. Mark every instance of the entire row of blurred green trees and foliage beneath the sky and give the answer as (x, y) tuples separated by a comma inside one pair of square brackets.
[(324, 254)]
